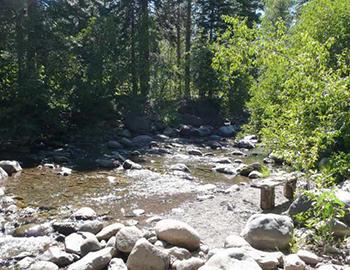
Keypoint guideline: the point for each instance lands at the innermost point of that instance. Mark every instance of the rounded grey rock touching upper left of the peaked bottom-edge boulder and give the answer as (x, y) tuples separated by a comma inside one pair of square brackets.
[(127, 237)]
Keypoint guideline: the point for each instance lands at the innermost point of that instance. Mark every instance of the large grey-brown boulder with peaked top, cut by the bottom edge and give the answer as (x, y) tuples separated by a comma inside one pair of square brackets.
[(145, 256)]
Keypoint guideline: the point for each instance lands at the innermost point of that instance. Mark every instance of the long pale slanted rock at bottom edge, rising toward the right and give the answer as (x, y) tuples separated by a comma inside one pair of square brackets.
[(94, 260)]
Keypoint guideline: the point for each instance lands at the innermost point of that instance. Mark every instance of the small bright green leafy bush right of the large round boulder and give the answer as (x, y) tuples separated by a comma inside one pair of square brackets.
[(326, 208)]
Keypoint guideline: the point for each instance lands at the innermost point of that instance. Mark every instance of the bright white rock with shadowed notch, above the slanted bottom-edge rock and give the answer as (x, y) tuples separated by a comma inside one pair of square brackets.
[(74, 242)]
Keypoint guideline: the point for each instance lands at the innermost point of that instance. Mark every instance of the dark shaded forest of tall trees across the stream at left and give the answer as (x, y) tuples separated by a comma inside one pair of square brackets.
[(67, 63)]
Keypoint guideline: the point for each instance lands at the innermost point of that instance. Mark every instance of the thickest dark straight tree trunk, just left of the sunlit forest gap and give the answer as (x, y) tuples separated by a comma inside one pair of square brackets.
[(144, 50)]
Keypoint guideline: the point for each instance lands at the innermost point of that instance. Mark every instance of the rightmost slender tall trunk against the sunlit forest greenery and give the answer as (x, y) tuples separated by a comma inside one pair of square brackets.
[(188, 50)]
